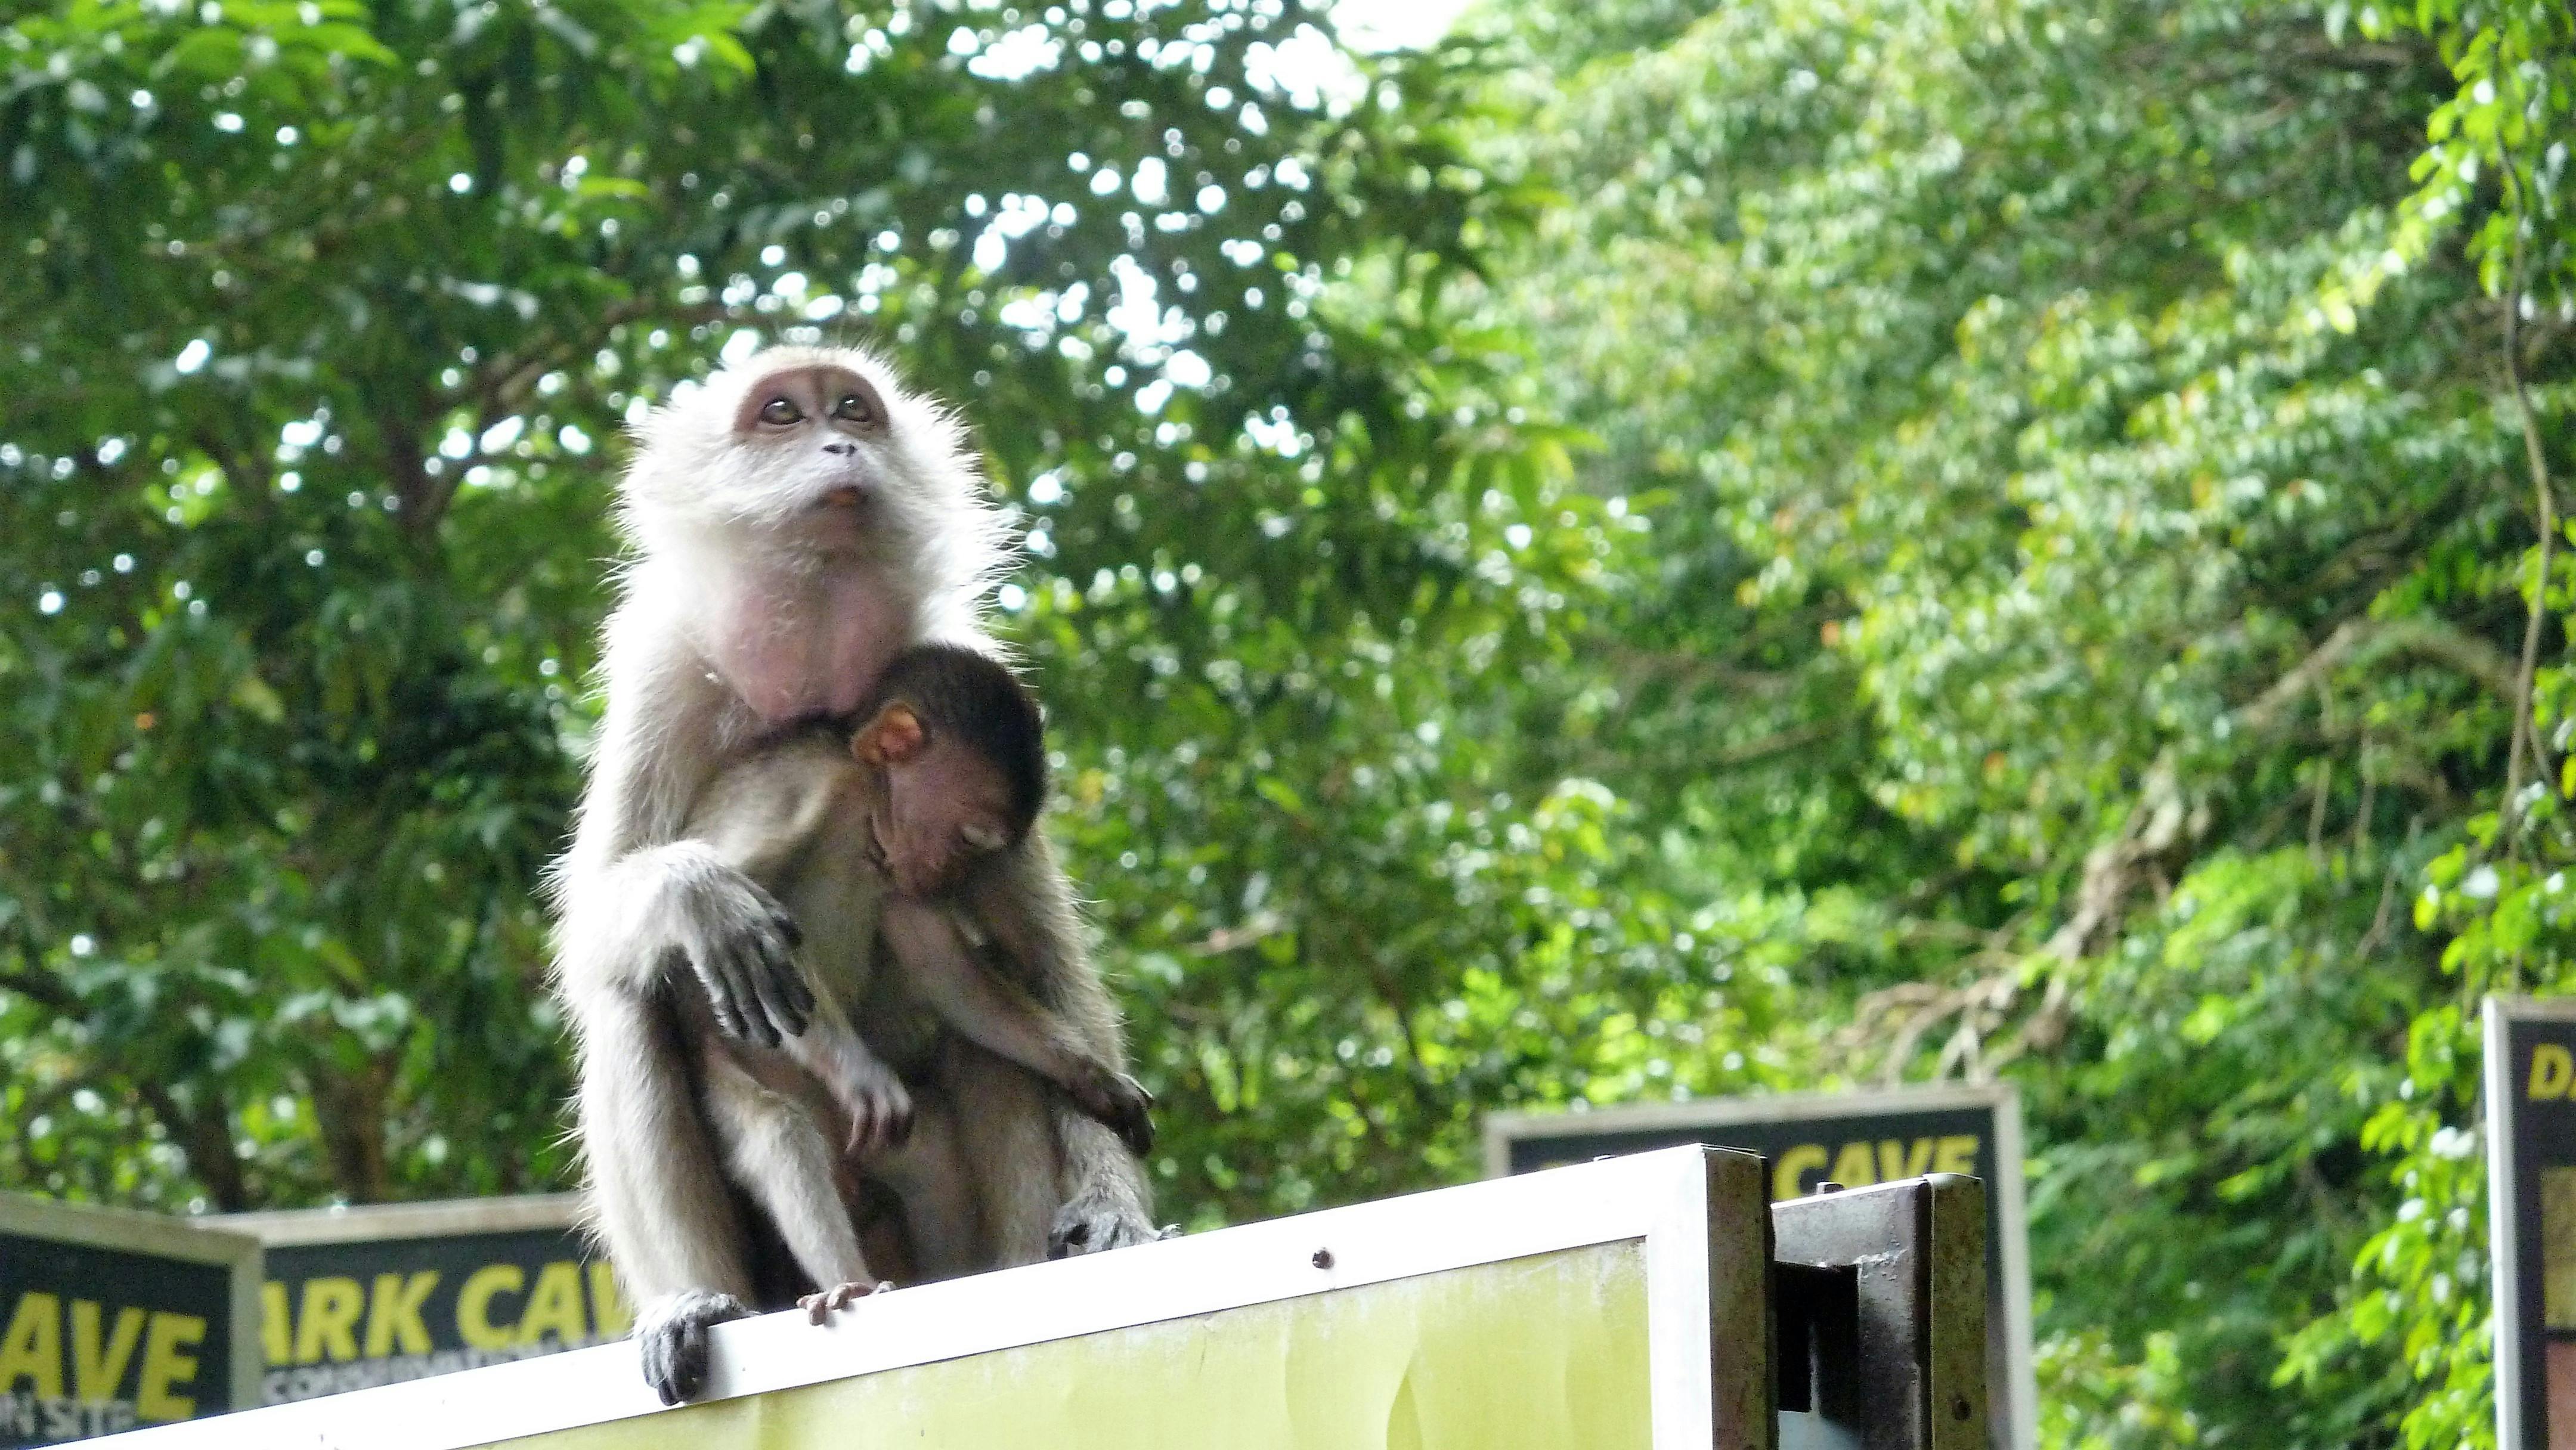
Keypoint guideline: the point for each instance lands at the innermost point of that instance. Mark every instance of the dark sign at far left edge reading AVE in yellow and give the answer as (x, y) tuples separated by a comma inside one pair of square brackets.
[(117, 1320)]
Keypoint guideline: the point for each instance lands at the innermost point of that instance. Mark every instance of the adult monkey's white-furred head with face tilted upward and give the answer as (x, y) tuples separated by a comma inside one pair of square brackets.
[(805, 444)]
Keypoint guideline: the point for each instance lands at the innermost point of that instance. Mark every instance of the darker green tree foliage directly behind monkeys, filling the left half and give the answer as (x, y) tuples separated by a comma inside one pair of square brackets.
[(326, 321)]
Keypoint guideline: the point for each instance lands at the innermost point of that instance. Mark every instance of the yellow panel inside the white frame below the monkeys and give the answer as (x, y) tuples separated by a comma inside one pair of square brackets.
[(1542, 1353)]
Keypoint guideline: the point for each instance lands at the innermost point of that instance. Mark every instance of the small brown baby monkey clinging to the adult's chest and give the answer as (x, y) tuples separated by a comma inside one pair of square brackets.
[(880, 846)]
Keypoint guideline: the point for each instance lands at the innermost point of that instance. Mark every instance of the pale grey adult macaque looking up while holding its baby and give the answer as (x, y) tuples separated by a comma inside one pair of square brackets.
[(795, 522)]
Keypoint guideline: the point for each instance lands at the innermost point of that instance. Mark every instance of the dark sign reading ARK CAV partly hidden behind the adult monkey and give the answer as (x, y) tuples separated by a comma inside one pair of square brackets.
[(367, 1297)]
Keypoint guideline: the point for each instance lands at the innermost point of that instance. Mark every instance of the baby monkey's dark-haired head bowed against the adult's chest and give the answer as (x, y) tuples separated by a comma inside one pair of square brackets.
[(962, 753)]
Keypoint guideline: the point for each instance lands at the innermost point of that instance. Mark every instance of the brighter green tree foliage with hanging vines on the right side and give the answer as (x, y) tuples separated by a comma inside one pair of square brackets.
[(2098, 485)]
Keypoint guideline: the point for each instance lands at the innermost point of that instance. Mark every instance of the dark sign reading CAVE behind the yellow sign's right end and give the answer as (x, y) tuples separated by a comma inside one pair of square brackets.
[(1853, 1140)]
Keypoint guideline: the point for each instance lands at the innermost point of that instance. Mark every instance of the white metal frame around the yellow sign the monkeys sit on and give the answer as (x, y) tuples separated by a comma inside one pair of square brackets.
[(1701, 1217)]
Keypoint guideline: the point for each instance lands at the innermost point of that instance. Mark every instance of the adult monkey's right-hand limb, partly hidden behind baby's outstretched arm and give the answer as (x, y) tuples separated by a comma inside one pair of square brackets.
[(1024, 900)]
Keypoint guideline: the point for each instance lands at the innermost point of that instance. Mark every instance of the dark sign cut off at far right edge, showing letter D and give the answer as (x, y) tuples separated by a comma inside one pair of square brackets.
[(2531, 1160)]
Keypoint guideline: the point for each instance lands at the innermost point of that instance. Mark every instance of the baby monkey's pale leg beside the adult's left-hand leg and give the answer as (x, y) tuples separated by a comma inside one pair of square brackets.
[(777, 1153)]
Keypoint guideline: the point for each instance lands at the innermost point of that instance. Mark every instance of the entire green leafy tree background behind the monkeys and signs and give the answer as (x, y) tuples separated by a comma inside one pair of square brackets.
[(1645, 550)]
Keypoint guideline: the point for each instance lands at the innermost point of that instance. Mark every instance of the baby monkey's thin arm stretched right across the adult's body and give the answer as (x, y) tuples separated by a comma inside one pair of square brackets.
[(1006, 1019)]
